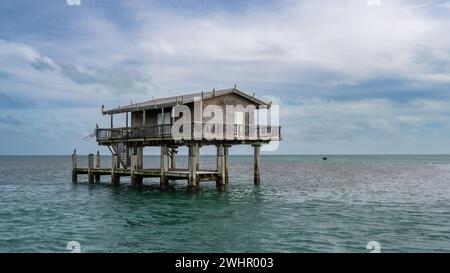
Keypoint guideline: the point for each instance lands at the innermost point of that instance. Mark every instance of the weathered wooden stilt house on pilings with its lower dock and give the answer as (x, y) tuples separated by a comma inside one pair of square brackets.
[(219, 117)]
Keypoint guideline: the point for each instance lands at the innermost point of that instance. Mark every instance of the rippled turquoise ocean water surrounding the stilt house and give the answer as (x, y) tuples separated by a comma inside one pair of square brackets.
[(304, 204)]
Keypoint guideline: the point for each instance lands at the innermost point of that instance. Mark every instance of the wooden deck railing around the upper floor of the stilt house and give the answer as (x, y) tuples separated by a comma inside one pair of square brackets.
[(164, 131)]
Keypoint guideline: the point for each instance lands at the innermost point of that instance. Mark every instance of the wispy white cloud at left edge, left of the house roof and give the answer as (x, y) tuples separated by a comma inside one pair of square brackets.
[(33, 75)]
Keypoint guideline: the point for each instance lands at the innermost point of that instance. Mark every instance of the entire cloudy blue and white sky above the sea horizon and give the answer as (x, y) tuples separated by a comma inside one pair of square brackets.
[(357, 76)]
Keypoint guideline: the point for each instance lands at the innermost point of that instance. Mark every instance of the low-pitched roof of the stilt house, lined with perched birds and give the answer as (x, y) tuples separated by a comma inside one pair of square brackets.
[(182, 99)]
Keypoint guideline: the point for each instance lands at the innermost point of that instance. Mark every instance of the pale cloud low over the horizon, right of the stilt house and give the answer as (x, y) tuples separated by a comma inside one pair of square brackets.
[(317, 121)]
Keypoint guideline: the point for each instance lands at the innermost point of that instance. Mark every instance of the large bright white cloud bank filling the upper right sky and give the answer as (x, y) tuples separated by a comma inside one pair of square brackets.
[(354, 40)]
